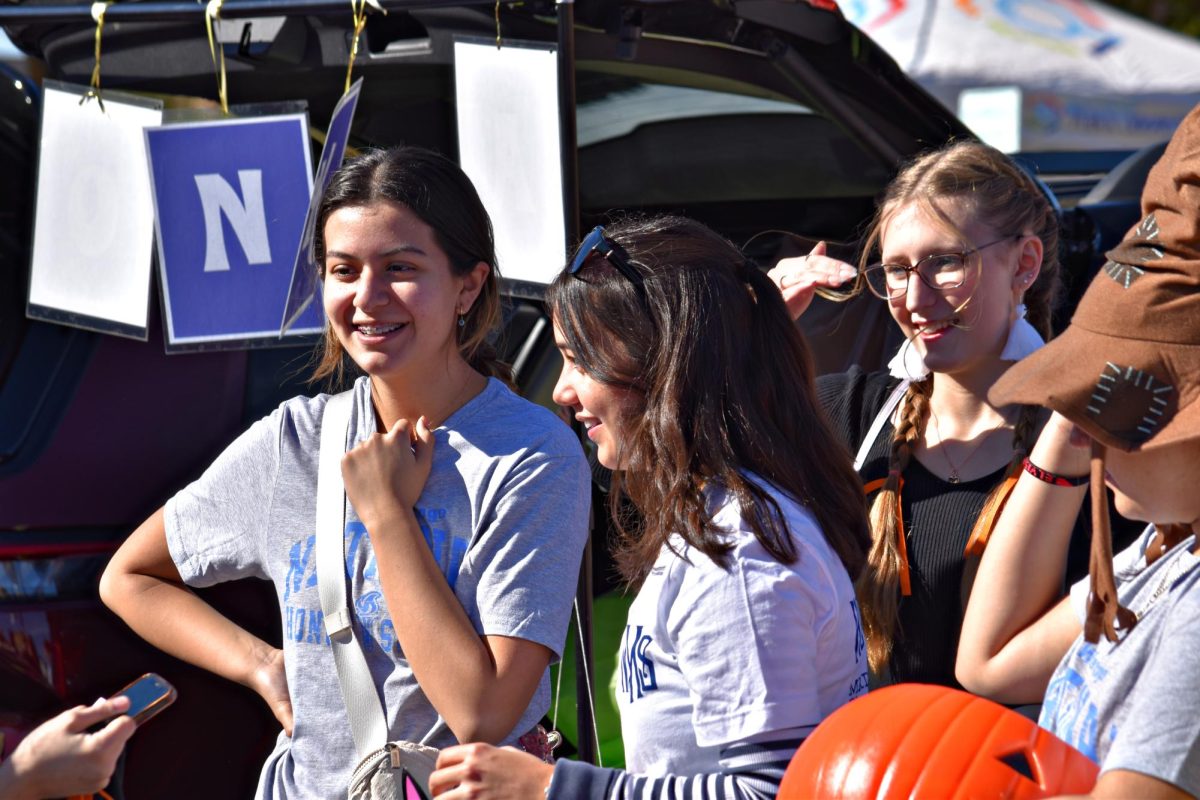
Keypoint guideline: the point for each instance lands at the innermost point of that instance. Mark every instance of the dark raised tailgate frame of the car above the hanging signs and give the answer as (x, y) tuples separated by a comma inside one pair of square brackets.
[(766, 47)]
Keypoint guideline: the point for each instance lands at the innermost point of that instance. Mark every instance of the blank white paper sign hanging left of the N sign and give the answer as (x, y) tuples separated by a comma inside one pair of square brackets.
[(94, 231)]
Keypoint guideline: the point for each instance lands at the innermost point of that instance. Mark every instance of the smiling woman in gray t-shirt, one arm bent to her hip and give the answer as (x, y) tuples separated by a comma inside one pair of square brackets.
[(467, 506)]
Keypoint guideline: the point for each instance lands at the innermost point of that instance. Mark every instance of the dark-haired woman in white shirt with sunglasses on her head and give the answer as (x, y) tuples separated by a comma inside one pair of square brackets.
[(697, 389)]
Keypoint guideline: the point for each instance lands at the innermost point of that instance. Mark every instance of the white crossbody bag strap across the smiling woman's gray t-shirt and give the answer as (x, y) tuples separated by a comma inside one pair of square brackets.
[(363, 706)]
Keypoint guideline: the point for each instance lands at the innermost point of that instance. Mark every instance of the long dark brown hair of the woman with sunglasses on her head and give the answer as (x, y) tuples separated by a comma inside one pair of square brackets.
[(721, 384)]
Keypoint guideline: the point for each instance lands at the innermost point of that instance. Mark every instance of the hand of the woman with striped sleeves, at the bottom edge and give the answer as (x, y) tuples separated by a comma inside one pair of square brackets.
[(487, 773)]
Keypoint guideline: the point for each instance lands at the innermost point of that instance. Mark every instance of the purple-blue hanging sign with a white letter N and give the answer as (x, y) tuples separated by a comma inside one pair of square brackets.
[(231, 199)]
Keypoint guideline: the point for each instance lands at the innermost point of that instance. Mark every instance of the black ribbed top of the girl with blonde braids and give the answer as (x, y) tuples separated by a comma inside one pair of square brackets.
[(938, 519)]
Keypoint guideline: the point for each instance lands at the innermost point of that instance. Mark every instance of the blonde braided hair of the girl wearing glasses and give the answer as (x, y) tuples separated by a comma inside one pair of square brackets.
[(1001, 195)]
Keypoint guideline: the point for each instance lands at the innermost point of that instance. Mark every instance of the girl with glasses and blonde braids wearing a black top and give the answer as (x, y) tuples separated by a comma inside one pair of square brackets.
[(968, 263)]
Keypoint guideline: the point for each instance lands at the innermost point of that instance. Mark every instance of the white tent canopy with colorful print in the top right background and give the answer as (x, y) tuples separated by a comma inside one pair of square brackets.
[(1088, 76)]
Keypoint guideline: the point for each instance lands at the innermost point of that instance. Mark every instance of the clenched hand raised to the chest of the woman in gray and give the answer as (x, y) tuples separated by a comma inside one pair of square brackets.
[(388, 470)]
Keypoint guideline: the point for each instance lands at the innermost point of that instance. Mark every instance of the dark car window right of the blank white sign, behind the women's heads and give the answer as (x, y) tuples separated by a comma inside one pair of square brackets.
[(743, 164)]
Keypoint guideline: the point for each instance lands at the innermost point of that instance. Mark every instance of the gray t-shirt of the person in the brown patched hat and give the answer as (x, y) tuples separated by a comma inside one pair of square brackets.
[(1136, 705)]
